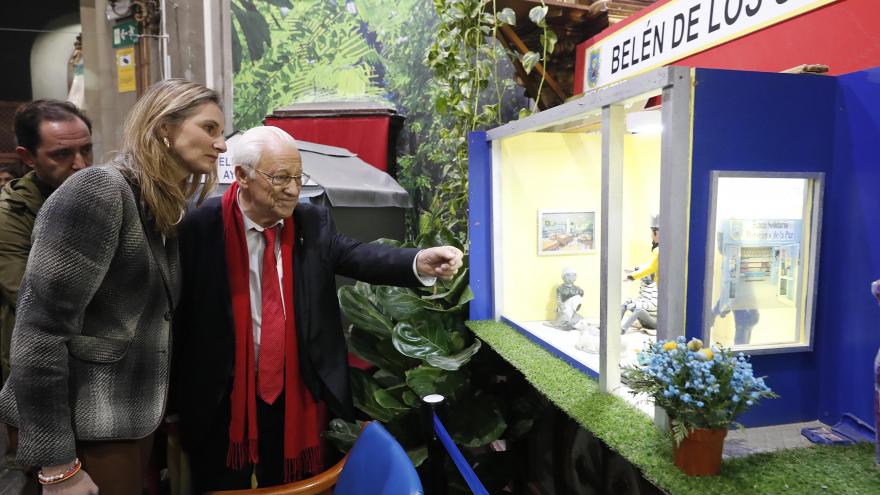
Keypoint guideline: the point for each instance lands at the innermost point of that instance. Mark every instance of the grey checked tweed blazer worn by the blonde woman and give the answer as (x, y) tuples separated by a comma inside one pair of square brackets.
[(90, 349)]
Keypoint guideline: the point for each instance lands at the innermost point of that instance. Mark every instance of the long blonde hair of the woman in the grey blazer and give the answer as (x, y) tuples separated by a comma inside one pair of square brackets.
[(164, 185)]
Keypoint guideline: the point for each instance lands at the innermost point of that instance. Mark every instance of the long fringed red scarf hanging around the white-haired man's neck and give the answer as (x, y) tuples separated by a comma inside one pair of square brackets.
[(302, 453)]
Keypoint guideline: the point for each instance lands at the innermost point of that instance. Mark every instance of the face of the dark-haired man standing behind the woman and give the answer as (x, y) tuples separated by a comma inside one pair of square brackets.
[(64, 148)]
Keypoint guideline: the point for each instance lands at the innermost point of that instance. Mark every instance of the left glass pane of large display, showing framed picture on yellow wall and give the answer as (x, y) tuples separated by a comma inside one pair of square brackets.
[(550, 202)]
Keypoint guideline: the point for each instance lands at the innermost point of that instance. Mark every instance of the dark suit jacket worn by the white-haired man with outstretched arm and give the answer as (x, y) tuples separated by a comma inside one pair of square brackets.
[(203, 330)]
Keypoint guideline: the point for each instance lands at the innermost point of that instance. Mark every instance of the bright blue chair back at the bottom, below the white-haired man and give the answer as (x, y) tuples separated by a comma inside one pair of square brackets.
[(378, 465)]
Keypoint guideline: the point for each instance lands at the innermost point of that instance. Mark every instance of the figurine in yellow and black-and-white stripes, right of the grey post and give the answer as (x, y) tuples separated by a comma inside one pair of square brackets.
[(644, 307)]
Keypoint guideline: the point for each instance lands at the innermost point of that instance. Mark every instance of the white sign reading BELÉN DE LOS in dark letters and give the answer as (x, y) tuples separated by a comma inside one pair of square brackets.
[(679, 29)]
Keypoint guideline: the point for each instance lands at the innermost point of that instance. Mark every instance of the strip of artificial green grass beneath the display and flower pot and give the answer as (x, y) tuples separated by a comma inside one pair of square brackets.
[(813, 470)]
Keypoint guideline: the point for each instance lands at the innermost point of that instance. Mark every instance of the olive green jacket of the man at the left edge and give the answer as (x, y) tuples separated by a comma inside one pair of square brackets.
[(20, 200)]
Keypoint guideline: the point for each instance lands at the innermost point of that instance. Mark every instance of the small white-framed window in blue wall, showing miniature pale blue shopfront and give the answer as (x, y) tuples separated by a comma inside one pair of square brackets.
[(761, 267)]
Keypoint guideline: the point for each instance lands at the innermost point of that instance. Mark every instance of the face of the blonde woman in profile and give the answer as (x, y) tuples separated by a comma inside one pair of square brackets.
[(198, 140)]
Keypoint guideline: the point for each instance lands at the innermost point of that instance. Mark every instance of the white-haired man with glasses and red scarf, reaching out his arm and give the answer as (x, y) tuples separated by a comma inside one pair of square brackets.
[(259, 346)]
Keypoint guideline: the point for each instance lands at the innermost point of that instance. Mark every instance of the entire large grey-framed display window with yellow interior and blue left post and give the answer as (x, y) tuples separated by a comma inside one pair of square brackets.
[(571, 201)]
